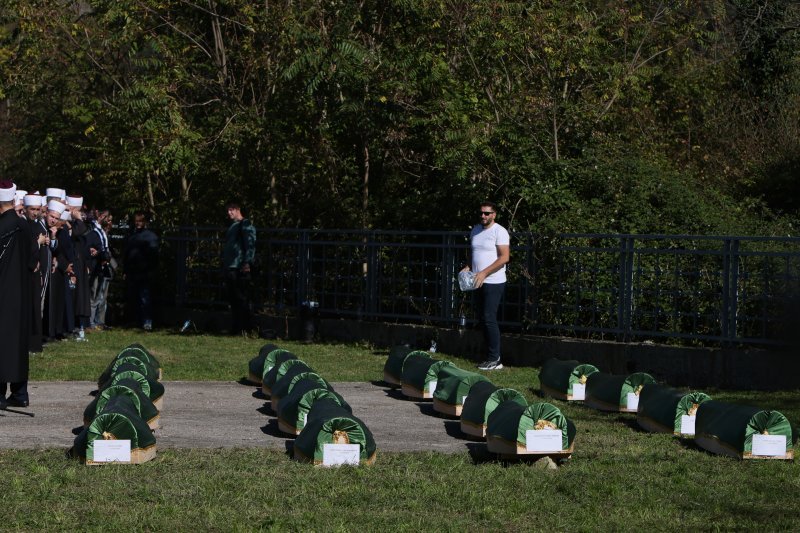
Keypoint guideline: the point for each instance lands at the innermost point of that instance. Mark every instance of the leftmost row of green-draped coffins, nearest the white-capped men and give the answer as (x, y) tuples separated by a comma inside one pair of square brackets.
[(126, 408)]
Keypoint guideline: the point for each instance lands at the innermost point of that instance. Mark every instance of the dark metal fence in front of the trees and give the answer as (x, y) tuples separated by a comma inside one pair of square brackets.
[(695, 289)]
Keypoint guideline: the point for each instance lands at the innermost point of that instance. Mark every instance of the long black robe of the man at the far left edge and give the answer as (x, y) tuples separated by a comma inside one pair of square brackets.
[(16, 263)]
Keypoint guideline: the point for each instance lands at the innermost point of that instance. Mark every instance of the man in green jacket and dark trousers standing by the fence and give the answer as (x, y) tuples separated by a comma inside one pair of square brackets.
[(237, 262)]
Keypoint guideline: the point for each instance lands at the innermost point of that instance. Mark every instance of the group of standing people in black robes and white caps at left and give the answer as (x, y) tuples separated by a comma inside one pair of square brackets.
[(55, 267)]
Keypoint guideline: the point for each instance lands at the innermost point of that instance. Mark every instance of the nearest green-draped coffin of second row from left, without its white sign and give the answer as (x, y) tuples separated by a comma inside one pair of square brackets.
[(330, 423)]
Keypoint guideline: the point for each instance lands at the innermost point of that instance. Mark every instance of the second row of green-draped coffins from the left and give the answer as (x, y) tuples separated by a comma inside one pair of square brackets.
[(308, 407)]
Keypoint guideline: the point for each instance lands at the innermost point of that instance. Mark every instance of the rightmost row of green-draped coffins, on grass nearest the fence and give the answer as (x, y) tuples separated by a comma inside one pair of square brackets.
[(723, 428)]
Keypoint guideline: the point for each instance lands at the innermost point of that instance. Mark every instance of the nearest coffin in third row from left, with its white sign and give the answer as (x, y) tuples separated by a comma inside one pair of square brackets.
[(508, 425)]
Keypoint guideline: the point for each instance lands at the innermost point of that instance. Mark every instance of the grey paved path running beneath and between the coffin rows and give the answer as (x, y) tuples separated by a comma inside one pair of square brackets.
[(229, 415)]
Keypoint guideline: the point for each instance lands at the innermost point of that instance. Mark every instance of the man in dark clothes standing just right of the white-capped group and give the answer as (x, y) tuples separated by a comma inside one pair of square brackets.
[(140, 262)]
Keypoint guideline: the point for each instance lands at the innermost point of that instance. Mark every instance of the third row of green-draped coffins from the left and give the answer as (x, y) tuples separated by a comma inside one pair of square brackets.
[(500, 415)]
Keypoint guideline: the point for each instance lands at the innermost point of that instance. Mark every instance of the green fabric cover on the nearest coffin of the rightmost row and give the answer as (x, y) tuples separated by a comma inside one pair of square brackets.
[(734, 425)]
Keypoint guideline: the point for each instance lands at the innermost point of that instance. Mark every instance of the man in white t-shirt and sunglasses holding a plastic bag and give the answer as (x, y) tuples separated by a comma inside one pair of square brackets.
[(489, 253)]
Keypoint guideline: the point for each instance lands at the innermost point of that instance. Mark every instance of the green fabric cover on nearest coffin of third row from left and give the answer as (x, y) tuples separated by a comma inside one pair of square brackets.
[(511, 420)]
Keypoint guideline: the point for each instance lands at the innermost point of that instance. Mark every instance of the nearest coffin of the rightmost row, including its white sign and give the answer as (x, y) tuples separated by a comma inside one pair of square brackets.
[(740, 430)]
